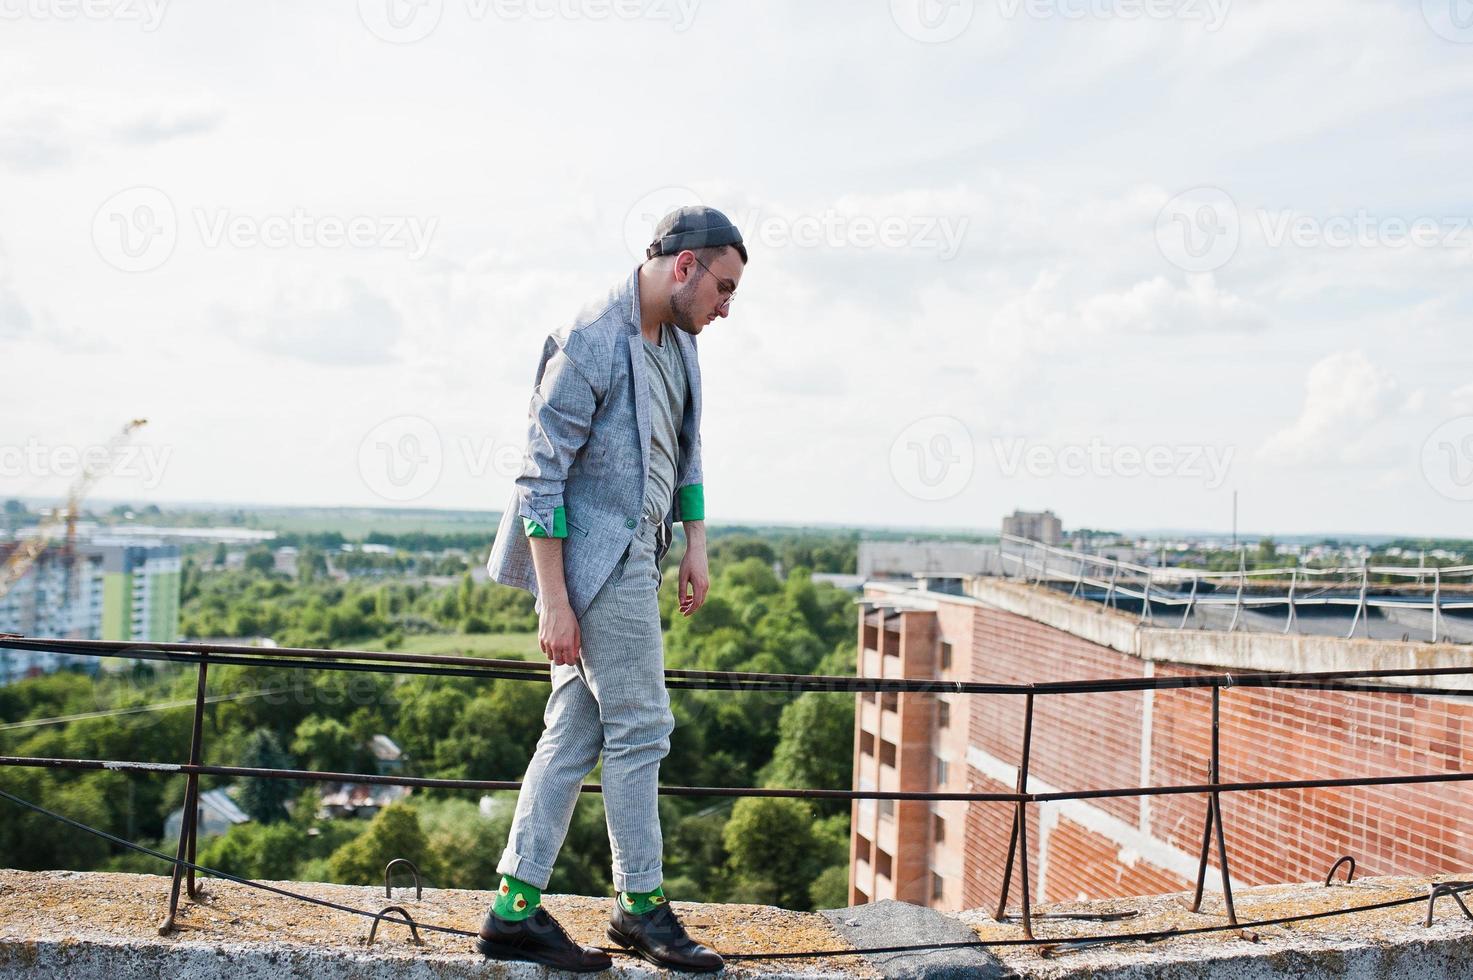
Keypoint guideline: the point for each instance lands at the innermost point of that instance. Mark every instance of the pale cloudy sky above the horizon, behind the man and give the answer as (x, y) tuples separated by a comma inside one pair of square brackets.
[(1117, 260)]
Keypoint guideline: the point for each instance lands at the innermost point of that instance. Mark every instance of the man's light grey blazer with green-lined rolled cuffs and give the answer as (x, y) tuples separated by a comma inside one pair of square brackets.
[(588, 450)]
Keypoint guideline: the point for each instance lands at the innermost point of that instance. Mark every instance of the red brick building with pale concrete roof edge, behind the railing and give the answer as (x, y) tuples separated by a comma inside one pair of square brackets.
[(951, 854)]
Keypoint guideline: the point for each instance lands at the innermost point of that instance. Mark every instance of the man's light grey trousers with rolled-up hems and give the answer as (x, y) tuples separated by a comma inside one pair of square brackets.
[(612, 702)]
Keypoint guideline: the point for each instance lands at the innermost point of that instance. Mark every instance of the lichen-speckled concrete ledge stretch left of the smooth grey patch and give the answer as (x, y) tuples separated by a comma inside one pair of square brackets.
[(91, 926)]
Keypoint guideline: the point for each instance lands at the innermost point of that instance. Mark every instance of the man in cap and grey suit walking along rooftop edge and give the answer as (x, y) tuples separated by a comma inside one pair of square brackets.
[(614, 459)]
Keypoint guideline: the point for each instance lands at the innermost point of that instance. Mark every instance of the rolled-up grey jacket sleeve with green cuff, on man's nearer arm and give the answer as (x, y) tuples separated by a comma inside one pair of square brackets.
[(558, 428)]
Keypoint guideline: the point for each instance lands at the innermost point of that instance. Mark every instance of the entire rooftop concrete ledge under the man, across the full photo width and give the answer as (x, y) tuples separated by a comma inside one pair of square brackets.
[(74, 926)]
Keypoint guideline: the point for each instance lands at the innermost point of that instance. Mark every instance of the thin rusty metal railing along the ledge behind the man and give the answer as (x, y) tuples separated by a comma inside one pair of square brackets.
[(1017, 860)]
